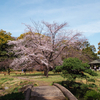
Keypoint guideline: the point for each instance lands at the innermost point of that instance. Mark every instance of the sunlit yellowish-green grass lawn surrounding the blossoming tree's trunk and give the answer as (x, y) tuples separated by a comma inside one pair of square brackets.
[(14, 81)]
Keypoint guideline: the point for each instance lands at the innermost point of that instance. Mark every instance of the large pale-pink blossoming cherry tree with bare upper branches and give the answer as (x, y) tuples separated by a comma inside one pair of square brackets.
[(43, 45)]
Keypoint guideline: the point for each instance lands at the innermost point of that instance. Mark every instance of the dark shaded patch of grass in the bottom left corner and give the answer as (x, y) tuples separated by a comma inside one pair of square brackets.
[(13, 96)]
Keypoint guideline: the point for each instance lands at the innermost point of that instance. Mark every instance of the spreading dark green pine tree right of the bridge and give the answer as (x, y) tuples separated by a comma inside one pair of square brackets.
[(73, 68)]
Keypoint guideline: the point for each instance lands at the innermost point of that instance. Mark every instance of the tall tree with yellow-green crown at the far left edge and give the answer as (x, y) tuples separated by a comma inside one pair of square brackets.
[(4, 58)]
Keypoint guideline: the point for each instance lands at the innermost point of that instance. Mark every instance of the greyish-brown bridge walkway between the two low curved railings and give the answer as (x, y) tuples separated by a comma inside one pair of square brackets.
[(46, 93)]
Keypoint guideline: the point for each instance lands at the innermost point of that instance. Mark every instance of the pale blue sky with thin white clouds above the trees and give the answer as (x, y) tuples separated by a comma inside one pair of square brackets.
[(81, 15)]
